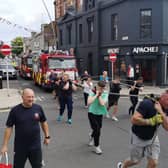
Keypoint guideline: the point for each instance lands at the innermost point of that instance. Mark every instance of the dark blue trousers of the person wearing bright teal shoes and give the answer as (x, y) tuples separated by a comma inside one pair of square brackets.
[(66, 100)]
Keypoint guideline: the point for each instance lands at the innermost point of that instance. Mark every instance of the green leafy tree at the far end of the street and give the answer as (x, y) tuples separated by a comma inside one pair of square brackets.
[(17, 46)]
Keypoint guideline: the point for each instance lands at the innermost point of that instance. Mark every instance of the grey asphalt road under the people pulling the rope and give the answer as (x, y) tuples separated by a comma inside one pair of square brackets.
[(69, 149)]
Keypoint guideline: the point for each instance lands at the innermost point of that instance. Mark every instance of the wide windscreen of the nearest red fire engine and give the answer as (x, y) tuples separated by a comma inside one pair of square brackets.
[(54, 63)]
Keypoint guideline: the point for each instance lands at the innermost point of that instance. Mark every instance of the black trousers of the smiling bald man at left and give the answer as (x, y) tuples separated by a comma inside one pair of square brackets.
[(34, 157)]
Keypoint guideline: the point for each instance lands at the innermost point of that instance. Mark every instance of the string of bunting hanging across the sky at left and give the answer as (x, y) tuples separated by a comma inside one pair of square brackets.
[(14, 25)]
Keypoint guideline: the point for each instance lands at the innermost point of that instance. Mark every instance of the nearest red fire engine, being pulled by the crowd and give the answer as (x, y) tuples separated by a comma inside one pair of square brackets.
[(55, 62)]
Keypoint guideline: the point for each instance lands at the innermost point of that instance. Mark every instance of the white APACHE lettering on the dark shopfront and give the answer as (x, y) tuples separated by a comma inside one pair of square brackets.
[(151, 49)]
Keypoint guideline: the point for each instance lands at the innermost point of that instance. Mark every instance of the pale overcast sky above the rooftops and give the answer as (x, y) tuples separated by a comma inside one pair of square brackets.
[(20, 15)]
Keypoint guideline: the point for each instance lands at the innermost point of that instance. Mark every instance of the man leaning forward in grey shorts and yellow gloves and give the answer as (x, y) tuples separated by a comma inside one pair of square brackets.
[(150, 114)]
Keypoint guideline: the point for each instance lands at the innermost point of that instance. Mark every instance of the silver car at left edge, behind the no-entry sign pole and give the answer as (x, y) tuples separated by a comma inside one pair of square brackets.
[(12, 72)]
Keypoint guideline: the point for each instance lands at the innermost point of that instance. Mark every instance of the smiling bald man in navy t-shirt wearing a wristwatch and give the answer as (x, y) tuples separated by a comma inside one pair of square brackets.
[(27, 144)]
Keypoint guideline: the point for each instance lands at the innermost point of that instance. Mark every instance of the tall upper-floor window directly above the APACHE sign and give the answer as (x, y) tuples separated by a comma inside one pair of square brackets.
[(146, 24)]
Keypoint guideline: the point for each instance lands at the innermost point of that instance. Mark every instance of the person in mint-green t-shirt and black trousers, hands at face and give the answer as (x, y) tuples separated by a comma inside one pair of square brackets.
[(97, 108)]
